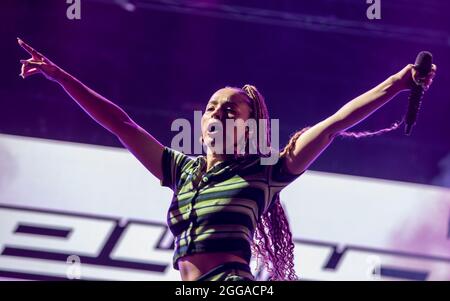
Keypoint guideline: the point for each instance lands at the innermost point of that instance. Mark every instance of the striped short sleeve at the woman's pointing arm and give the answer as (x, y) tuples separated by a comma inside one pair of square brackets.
[(173, 163)]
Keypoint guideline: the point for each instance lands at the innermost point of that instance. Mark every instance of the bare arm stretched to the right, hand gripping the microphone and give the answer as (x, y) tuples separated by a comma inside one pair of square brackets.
[(317, 138)]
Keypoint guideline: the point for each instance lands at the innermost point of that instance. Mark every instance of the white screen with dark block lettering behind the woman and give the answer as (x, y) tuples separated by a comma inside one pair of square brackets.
[(80, 211)]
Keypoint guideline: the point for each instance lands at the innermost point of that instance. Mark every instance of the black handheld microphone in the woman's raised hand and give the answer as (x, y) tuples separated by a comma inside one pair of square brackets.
[(423, 65)]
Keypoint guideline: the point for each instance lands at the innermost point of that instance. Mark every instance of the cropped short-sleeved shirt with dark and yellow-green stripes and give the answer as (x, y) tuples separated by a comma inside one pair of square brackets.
[(217, 211)]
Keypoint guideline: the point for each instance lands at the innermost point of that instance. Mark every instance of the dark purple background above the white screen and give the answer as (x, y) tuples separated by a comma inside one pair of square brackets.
[(166, 58)]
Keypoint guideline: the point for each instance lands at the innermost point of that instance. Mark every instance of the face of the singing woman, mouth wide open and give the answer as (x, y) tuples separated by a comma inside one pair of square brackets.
[(226, 103)]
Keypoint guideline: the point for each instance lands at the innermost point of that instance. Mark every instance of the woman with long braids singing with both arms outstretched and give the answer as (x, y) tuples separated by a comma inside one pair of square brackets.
[(226, 206)]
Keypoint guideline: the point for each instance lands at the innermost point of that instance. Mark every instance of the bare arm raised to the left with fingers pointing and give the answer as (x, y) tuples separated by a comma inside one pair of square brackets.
[(139, 142)]
